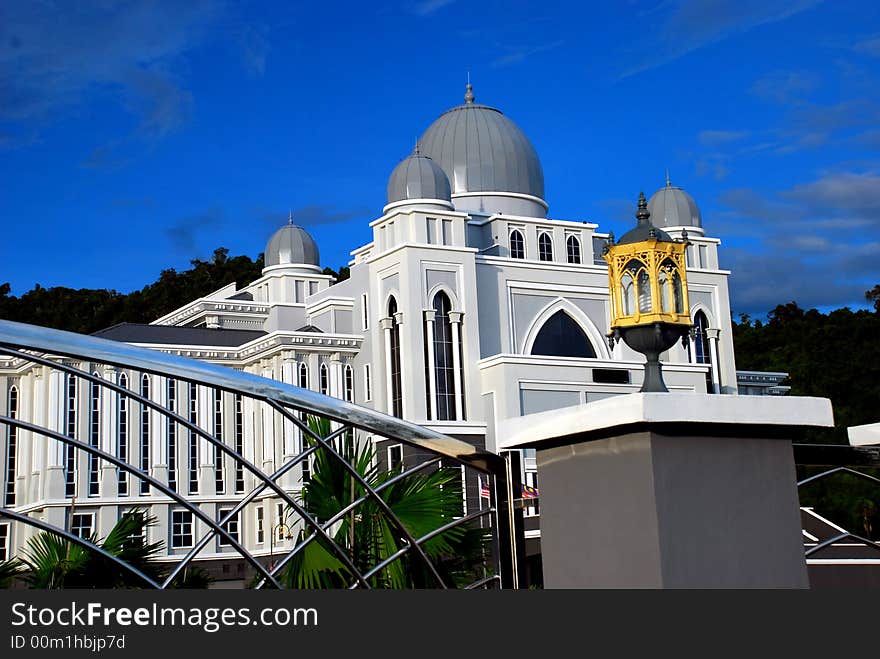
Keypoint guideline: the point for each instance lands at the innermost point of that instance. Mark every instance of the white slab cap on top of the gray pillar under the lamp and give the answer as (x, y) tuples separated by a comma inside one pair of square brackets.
[(668, 408)]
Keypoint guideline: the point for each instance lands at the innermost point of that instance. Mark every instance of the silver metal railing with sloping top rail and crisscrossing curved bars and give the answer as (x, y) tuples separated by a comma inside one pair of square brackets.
[(38, 346)]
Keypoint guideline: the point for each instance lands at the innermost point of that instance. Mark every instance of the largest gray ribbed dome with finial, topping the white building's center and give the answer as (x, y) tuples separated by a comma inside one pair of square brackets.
[(481, 150)]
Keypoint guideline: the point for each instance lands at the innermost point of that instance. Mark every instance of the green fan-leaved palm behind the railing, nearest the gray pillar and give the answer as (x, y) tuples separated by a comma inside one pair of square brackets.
[(422, 502)]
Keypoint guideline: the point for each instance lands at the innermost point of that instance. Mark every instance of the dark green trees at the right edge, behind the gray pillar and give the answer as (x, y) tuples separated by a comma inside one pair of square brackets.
[(834, 355)]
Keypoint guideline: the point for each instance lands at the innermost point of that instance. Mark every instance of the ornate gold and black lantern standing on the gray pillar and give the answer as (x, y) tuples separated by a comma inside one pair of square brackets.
[(648, 284)]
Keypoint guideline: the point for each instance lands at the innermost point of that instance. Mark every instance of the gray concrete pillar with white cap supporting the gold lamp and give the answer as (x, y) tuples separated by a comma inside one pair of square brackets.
[(674, 490)]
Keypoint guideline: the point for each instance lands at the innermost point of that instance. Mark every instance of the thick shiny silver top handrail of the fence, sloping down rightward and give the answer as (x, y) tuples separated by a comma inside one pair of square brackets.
[(153, 361)]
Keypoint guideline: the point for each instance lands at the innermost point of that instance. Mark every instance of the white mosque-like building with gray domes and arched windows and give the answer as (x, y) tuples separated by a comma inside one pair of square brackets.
[(469, 306)]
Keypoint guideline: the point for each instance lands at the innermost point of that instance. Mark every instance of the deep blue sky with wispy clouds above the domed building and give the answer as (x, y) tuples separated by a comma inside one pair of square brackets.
[(135, 136)]
